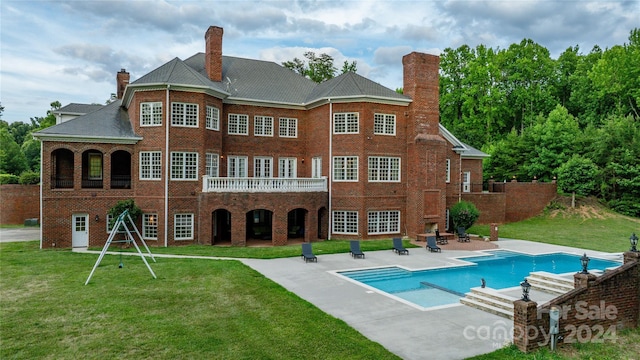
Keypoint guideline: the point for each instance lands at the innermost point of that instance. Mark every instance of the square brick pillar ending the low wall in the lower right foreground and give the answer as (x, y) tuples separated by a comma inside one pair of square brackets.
[(525, 325)]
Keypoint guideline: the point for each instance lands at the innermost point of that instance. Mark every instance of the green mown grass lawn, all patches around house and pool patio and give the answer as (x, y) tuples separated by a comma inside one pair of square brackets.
[(222, 309)]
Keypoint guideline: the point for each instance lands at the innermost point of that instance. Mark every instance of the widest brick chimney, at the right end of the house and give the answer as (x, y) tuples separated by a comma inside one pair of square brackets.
[(421, 85)]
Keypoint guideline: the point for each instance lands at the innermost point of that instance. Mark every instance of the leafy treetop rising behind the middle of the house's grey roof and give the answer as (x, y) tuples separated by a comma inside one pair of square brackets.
[(318, 68)]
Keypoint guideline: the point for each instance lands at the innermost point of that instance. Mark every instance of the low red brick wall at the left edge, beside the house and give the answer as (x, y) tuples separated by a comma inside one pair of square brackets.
[(19, 202)]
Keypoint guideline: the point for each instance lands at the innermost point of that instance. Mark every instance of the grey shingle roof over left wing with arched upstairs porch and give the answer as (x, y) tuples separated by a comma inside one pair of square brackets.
[(110, 123)]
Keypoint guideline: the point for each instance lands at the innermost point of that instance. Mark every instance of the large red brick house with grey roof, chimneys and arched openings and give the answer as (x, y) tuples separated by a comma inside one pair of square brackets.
[(224, 150)]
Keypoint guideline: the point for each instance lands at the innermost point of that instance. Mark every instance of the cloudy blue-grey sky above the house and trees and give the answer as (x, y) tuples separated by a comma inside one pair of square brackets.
[(70, 51)]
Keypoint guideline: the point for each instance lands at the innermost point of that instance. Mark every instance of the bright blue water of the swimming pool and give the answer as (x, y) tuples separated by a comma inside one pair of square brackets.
[(500, 269)]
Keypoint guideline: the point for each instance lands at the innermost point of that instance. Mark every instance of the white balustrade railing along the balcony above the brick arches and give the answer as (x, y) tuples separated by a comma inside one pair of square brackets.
[(227, 184)]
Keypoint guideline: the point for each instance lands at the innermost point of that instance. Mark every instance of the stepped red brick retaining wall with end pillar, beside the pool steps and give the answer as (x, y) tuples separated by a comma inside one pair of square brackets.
[(594, 311)]
